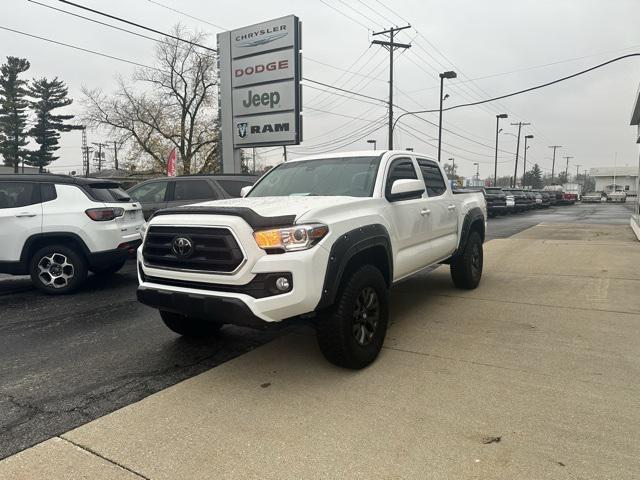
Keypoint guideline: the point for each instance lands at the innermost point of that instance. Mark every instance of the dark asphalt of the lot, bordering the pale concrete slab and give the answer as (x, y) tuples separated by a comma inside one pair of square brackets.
[(68, 360)]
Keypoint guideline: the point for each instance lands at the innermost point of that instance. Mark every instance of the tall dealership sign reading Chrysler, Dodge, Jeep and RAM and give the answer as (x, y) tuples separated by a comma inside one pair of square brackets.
[(260, 75)]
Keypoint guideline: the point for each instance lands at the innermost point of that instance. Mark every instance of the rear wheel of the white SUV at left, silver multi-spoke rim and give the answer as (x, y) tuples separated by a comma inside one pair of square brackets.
[(57, 269)]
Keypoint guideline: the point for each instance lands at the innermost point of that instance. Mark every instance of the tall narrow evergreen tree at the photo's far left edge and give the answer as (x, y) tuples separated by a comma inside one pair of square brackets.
[(13, 116)]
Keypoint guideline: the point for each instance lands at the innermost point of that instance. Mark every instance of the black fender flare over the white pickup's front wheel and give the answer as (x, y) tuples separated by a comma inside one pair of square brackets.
[(344, 249)]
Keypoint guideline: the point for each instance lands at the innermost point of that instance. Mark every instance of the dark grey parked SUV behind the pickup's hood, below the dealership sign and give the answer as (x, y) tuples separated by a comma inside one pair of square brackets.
[(167, 192)]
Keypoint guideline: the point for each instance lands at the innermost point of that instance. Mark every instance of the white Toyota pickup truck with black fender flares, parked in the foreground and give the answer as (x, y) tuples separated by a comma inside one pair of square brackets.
[(322, 237)]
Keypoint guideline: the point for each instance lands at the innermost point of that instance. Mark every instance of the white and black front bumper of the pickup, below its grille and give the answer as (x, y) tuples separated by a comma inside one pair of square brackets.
[(231, 298)]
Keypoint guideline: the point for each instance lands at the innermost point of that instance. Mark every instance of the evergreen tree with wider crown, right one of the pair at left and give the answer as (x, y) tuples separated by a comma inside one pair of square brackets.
[(48, 95)]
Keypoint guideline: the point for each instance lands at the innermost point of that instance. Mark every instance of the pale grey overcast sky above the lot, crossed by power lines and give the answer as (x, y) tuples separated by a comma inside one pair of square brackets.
[(502, 46)]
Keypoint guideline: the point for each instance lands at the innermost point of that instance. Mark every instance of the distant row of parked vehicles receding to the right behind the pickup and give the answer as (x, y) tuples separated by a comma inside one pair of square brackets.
[(502, 200)]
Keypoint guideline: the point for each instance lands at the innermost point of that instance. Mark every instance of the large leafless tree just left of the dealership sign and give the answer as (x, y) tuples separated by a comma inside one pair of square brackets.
[(170, 105)]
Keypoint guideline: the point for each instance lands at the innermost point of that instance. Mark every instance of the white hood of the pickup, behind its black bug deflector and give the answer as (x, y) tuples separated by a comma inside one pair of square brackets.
[(276, 206)]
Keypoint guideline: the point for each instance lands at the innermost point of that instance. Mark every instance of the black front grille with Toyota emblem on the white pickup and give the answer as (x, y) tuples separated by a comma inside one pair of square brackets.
[(205, 249)]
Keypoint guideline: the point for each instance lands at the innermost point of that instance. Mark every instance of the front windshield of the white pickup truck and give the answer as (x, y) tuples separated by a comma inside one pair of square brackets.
[(349, 176)]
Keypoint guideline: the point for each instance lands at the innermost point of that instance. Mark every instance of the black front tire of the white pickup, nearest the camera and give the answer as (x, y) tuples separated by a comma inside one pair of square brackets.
[(351, 333)]
